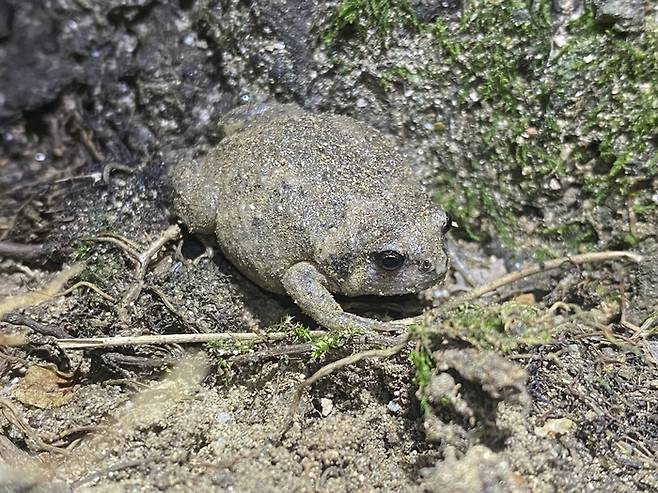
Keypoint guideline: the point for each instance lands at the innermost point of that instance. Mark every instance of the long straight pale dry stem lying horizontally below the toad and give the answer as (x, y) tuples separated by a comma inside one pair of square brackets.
[(175, 339)]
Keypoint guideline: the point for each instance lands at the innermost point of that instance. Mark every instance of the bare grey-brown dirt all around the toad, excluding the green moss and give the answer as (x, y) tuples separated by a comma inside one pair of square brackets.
[(548, 384)]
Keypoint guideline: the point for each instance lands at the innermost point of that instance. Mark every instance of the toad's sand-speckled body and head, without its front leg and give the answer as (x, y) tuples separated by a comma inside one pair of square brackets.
[(288, 187)]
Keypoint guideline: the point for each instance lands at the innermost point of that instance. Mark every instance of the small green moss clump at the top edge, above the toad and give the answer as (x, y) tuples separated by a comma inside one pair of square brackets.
[(359, 17)]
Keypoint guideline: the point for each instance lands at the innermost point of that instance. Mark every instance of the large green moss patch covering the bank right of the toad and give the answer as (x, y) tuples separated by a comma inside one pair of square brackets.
[(517, 118)]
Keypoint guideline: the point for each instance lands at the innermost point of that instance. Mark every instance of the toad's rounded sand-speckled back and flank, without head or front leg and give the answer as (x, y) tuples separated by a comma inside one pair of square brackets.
[(272, 191)]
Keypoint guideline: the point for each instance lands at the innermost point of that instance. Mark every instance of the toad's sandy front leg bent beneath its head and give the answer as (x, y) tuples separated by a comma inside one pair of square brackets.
[(307, 286)]
